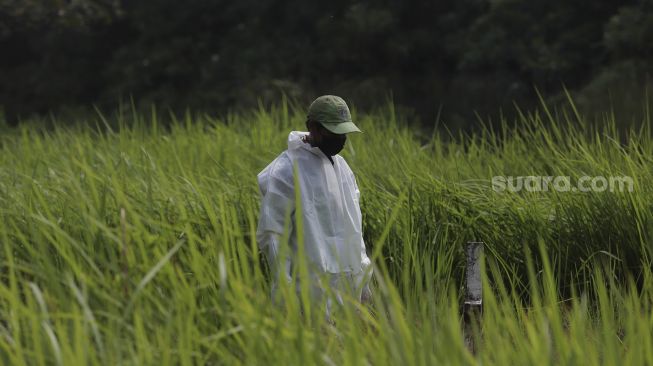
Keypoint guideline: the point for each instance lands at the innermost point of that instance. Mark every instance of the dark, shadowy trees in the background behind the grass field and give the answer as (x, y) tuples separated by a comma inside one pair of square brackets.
[(452, 57)]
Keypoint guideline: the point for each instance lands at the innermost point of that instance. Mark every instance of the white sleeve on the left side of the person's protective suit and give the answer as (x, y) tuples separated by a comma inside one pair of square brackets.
[(277, 205)]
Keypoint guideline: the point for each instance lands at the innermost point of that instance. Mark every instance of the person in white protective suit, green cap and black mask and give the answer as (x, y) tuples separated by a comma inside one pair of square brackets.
[(334, 249)]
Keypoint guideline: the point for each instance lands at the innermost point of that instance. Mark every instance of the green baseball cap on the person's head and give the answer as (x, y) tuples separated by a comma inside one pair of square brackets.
[(332, 112)]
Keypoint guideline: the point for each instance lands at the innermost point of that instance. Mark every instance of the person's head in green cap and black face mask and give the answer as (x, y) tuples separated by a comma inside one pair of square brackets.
[(329, 122)]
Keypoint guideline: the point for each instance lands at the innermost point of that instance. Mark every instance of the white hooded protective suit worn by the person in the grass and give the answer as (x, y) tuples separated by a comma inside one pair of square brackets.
[(333, 240)]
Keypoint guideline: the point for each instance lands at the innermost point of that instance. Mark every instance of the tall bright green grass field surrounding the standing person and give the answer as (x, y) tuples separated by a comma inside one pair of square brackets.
[(127, 243)]
